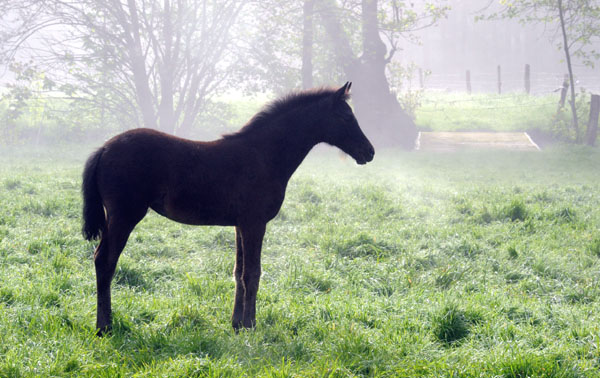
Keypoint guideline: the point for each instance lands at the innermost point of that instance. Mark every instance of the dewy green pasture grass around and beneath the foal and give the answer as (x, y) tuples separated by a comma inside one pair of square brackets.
[(470, 264)]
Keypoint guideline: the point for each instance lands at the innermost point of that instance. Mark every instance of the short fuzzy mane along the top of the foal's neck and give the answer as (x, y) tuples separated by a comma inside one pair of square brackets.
[(291, 101)]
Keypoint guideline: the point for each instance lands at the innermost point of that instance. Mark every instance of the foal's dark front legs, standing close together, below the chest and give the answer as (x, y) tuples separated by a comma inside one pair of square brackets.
[(247, 274)]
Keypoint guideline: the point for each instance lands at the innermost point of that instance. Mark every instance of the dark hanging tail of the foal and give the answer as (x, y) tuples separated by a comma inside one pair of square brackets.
[(94, 219)]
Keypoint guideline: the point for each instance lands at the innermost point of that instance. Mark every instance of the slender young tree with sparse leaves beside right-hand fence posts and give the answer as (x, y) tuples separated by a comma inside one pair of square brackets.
[(577, 22)]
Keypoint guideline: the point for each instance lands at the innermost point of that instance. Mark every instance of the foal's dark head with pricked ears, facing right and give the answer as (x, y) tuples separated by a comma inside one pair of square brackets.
[(341, 128)]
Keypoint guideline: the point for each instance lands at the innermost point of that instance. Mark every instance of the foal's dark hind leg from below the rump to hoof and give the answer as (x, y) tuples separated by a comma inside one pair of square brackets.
[(105, 259)]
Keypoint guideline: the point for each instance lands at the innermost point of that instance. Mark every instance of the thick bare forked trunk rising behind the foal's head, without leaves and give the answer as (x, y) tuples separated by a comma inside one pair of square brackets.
[(377, 109)]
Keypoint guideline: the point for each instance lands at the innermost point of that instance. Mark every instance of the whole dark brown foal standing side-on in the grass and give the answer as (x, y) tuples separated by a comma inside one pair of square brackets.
[(238, 180)]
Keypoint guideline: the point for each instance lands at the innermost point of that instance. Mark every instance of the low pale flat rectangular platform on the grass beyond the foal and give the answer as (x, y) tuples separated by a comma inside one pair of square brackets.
[(453, 141)]
